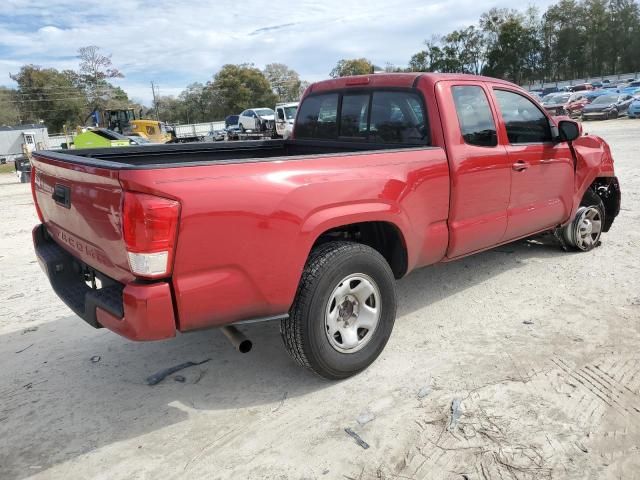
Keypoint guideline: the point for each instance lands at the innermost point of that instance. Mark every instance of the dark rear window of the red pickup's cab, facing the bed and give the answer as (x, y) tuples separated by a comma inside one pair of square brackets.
[(373, 116)]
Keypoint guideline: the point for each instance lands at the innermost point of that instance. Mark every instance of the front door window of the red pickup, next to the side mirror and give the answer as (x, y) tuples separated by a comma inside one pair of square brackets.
[(524, 121)]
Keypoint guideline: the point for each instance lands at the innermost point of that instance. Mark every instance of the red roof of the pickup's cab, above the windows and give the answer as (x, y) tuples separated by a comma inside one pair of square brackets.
[(397, 80)]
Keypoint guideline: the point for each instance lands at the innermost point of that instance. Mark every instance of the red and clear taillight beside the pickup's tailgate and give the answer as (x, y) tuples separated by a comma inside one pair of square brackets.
[(149, 228)]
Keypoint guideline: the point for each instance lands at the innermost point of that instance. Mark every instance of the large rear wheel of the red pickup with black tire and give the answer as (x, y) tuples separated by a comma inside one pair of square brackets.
[(344, 310)]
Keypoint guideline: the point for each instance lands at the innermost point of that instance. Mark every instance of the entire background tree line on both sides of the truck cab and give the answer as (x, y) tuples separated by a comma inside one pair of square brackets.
[(571, 39)]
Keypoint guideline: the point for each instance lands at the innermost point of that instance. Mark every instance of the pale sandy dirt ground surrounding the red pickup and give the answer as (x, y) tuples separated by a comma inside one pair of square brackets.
[(519, 363)]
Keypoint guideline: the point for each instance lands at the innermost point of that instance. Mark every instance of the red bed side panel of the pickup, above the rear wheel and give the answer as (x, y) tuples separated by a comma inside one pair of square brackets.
[(241, 255)]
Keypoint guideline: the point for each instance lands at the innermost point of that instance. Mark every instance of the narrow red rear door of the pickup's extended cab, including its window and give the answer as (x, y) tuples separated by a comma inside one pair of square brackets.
[(479, 168)]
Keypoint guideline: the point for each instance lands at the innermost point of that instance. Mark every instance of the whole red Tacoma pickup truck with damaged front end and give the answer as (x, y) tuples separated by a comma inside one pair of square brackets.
[(385, 174)]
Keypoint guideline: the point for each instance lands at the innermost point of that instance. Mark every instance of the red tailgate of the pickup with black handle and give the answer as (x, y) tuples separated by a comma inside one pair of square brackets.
[(81, 208)]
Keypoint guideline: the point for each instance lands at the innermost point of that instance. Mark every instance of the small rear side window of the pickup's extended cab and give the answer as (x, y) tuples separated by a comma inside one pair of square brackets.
[(474, 116)]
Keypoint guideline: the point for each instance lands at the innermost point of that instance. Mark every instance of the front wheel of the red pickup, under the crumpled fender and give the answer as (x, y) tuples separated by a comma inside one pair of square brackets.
[(584, 232)]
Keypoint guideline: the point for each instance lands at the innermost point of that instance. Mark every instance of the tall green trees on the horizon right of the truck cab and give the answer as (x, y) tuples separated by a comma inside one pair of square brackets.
[(571, 39)]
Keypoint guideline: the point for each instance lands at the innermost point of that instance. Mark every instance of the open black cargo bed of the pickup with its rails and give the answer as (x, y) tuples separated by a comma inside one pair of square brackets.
[(175, 155)]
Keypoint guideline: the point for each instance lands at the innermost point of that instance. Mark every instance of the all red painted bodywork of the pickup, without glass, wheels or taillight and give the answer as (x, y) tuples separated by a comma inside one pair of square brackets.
[(246, 228)]
